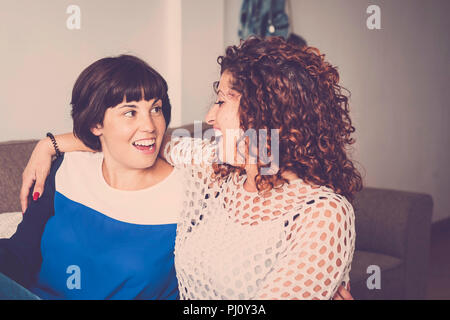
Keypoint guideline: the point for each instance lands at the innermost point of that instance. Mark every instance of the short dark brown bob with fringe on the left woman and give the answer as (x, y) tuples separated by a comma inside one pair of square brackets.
[(104, 84)]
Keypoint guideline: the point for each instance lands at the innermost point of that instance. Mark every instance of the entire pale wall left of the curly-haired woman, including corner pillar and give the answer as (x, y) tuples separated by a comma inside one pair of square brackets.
[(41, 58)]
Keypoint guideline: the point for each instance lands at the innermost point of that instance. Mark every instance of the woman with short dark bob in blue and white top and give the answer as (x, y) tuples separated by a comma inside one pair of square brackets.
[(101, 229)]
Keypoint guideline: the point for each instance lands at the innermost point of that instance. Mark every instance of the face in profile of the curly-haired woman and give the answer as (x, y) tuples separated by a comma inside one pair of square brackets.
[(224, 117)]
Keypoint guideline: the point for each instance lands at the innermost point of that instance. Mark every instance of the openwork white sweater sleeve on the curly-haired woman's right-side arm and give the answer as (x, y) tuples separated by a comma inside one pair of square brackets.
[(319, 251)]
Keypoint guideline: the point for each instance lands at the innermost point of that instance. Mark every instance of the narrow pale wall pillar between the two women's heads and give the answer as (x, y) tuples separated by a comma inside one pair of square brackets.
[(202, 43)]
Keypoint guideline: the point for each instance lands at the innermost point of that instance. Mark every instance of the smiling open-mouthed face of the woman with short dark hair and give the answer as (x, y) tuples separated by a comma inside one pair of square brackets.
[(132, 133)]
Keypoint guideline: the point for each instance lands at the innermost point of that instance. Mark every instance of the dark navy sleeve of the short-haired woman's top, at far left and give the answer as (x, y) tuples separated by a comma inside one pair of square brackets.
[(20, 256)]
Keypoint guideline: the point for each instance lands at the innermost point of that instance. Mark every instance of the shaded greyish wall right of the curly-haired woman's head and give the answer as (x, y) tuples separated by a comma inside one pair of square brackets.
[(399, 79)]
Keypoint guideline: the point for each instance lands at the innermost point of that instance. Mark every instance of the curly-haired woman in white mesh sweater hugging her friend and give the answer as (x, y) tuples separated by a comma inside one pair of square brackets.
[(252, 232)]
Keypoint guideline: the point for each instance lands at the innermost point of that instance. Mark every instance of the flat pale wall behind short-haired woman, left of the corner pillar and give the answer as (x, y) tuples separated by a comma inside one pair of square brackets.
[(41, 58)]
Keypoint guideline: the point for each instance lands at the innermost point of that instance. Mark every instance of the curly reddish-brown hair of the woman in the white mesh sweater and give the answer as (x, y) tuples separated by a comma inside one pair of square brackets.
[(293, 89)]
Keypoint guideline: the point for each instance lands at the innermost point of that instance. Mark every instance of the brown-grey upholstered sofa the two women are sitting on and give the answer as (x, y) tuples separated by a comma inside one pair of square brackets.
[(392, 231)]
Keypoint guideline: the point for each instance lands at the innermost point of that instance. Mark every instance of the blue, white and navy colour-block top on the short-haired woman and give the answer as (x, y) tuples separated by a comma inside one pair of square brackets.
[(86, 251)]
